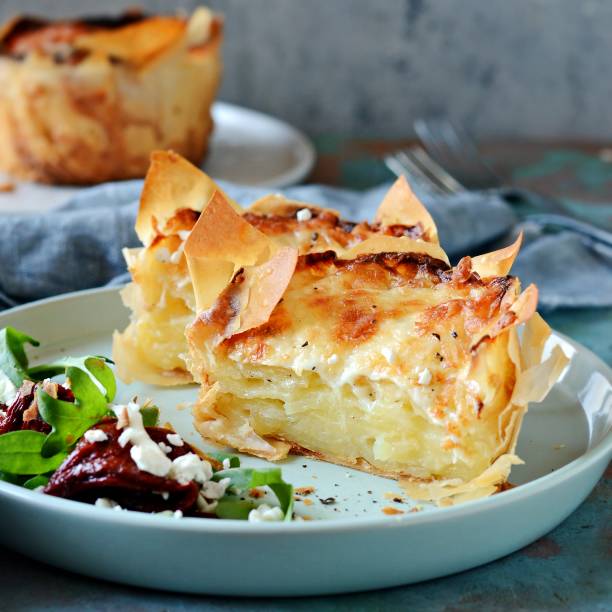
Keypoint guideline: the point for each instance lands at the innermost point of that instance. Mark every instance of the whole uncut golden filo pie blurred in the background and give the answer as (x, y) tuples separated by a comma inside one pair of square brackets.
[(88, 100)]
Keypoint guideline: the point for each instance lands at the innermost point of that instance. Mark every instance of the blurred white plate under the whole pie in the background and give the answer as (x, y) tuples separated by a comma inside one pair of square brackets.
[(246, 148)]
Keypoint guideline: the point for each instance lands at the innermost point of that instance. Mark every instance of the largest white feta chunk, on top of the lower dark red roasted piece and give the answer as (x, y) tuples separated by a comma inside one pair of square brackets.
[(145, 453)]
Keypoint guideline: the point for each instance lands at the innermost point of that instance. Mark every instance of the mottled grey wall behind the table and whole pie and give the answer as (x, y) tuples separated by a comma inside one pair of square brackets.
[(536, 68)]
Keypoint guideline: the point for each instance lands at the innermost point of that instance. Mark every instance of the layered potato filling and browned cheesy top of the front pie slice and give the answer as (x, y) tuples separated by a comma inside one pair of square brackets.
[(390, 362)]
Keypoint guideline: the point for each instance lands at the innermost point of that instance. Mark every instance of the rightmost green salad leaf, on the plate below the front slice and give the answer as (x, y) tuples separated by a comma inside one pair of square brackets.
[(244, 479)]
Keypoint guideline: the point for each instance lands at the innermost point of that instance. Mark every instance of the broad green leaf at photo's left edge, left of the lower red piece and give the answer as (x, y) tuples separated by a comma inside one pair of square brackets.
[(20, 453)]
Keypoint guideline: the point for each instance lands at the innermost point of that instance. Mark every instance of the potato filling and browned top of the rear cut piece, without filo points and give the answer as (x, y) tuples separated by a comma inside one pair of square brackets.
[(161, 298)]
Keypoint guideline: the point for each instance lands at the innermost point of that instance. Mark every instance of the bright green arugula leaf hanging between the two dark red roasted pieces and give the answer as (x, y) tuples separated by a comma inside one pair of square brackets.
[(69, 421)]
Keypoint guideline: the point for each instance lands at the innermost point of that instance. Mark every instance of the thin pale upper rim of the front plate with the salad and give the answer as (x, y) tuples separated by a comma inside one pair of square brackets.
[(202, 525)]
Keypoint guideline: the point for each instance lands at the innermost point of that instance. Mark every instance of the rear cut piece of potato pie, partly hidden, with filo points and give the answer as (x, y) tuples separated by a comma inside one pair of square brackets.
[(161, 295)]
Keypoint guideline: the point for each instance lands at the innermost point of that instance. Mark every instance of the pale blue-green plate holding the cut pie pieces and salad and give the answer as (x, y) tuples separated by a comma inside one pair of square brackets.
[(351, 545)]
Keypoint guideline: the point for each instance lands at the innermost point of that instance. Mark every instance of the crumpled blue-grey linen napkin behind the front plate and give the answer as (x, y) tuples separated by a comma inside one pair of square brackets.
[(79, 246)]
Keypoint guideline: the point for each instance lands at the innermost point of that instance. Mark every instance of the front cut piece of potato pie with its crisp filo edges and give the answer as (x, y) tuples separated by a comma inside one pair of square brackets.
[(382, 357)]
